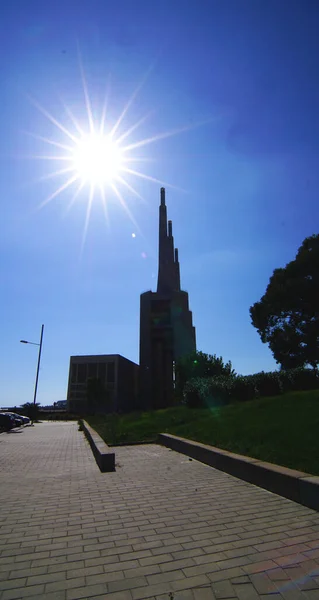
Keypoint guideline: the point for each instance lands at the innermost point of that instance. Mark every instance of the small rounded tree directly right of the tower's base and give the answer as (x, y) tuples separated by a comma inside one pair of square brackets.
[(200, 365)]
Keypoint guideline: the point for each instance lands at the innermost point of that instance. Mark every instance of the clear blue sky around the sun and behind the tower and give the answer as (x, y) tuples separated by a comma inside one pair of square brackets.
[(246, 182)]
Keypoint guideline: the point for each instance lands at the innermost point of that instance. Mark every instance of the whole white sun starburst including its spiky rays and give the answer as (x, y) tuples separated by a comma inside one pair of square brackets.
[(100, 157)]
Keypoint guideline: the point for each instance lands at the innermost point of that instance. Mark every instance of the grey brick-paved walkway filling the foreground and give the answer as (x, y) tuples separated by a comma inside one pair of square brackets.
[(162, 526)]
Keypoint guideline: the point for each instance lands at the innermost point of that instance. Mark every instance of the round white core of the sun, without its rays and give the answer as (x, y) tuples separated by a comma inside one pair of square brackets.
[(97, 159)]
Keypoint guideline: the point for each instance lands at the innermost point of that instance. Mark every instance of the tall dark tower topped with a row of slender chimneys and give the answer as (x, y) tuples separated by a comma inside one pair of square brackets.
[(166, 325)]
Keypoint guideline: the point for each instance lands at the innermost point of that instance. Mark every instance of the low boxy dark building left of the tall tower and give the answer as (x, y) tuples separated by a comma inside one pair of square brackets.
[(102, 383)]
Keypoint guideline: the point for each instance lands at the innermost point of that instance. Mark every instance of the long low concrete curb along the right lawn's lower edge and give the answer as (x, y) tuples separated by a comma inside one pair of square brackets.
[(294, 485)]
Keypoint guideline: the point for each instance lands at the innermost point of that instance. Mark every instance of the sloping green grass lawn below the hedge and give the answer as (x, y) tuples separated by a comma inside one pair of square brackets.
[(282, 430)]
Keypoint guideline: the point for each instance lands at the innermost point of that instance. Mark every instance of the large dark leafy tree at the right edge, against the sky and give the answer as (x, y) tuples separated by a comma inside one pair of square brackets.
[(287, 316)]
